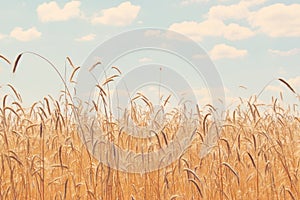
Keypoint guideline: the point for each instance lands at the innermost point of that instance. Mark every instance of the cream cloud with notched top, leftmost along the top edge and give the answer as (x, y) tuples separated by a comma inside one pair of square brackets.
[(52, 12)]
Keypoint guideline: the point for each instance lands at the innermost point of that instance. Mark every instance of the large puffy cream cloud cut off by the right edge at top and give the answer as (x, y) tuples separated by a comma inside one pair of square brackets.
[(277, 20)]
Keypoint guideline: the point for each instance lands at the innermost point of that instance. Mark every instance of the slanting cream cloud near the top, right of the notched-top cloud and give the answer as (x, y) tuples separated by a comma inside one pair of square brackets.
[(122, 15)]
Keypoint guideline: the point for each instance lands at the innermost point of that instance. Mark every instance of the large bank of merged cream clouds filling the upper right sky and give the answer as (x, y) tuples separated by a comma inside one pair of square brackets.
[(276, 20)]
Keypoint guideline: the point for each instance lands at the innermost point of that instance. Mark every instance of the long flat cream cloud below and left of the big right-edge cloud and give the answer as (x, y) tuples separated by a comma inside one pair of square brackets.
[(212, 27)]
